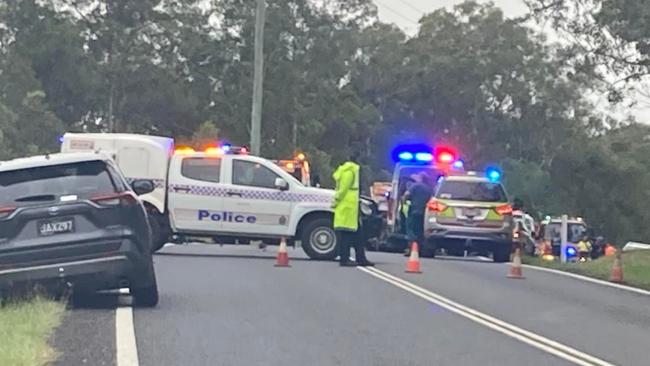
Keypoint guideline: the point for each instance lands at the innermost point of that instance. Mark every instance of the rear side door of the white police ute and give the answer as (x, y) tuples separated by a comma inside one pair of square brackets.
[(195, 196)]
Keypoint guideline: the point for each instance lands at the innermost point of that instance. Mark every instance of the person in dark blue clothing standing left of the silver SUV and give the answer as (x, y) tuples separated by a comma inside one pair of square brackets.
[(419, 194)]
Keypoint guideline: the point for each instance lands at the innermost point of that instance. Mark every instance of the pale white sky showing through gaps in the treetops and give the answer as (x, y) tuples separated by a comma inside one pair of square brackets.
[(406, 13)]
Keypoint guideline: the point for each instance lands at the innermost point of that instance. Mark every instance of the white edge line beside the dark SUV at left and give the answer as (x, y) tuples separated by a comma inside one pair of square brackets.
[(125, 343)]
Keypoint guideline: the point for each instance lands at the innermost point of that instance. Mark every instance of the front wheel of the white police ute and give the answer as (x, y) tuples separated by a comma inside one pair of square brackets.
[(319, 240)]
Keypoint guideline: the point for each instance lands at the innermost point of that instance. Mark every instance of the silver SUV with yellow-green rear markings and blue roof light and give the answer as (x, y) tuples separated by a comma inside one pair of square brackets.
[(470, 213)]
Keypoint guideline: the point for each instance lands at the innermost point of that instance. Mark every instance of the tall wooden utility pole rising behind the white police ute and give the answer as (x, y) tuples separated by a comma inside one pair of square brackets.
[(258, 79)]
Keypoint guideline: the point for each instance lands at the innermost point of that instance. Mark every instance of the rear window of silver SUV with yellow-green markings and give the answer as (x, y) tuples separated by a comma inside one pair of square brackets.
[(472, 191)]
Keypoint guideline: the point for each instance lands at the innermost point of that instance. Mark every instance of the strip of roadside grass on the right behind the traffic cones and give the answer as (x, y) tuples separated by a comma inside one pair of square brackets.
[(636, 267)]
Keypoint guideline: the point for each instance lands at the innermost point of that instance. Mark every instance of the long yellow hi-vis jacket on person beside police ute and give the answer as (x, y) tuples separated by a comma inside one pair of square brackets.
[(346, 198)]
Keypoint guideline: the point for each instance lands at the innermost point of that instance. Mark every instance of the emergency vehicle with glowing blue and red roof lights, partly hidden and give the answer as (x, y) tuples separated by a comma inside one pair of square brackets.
[(410, 160)]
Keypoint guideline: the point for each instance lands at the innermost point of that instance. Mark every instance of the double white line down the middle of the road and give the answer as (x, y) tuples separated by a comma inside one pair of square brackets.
[(532, 339)]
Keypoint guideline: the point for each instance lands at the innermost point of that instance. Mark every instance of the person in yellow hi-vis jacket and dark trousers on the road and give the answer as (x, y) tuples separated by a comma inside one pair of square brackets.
[(346, 212)]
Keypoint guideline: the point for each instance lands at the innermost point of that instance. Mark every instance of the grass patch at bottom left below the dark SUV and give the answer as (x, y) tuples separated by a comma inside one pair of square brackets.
[(25, 329)]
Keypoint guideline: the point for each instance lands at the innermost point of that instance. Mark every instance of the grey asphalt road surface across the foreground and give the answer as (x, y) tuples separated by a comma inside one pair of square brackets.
[(231, 306)]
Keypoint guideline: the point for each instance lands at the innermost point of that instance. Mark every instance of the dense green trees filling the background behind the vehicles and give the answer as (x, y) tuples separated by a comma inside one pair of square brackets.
[(336, 79)]
